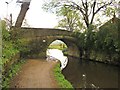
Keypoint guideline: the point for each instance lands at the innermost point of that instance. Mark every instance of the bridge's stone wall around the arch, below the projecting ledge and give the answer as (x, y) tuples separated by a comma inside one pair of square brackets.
[(37, 46)]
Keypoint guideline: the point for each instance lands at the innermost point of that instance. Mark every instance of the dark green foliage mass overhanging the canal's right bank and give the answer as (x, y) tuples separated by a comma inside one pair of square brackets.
[(103, 45)]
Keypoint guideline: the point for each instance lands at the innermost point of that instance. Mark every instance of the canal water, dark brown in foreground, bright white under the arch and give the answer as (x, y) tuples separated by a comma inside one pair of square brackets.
[(88, 74)]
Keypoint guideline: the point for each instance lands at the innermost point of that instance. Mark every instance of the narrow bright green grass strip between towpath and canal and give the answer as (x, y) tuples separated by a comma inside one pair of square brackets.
[(62, 82)]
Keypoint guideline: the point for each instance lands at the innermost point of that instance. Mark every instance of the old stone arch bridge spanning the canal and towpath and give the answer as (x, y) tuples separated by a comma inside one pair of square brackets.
[(38, 40)]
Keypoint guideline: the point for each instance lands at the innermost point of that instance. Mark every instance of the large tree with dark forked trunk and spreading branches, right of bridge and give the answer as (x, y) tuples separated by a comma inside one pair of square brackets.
[(88, 12)]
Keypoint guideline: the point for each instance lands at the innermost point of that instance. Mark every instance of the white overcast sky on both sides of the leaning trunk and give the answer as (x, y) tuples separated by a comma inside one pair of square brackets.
[(35, 16)]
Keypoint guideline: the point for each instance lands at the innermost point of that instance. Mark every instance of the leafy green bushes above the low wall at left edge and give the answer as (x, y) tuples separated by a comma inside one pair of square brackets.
[(11, 43)]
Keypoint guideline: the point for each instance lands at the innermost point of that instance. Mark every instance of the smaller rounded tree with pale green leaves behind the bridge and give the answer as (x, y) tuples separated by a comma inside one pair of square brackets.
[(70, 20)]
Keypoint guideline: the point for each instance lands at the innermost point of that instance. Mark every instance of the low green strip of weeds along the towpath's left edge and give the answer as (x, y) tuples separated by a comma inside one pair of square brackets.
[(12, 72)]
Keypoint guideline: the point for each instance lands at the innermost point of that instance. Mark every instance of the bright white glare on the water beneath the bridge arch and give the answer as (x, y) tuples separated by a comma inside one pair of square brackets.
[(55, 54)]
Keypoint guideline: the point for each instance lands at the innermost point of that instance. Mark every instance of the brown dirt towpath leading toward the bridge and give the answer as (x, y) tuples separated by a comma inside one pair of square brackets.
[(35, 73)]
